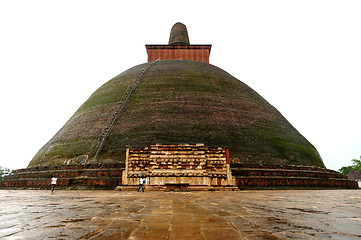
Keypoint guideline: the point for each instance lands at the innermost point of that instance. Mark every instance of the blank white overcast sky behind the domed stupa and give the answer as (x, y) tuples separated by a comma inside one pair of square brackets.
[(303, 57)]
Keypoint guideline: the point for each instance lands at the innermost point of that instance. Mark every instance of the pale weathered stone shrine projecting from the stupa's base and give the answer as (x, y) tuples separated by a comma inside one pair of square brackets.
[(182, 167)]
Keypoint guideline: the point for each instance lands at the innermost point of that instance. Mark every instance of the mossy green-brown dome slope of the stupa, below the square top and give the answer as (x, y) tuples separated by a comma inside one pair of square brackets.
[(181, 102)]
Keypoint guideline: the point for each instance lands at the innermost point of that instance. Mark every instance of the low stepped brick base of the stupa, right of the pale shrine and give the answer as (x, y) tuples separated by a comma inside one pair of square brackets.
[(250, 176)]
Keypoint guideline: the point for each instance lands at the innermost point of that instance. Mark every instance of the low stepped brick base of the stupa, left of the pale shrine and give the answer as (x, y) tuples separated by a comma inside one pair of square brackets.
[(87, 176)]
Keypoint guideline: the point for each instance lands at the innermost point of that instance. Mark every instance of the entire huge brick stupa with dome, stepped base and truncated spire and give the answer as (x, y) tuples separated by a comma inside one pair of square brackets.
[(182, 122)]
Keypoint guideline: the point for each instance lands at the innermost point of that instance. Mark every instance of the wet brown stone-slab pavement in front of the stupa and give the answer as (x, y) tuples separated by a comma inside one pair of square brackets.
[(293, 214)]
